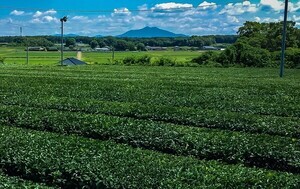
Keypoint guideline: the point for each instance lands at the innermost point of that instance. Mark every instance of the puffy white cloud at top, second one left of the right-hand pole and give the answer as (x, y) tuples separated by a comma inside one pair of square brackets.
[(239, 8)]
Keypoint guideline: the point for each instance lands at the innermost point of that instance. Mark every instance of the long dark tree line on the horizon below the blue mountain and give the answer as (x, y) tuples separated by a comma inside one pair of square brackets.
[(120, 44)]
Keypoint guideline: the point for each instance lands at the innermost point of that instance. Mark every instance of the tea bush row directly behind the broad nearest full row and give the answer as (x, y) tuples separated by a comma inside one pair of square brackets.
[(283, 153)]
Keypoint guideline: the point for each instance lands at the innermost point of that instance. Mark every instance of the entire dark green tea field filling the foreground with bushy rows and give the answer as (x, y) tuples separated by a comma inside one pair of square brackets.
[(148, 127)]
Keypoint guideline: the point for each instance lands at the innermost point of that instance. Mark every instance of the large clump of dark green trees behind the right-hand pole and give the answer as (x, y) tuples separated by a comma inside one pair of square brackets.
[(258, 45)]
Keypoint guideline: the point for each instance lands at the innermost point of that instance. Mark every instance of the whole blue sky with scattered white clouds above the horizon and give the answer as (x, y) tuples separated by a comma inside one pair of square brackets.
[(104, 17)]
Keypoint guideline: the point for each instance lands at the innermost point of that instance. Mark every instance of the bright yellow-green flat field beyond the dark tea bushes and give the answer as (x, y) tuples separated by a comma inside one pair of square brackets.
[(17, 56)]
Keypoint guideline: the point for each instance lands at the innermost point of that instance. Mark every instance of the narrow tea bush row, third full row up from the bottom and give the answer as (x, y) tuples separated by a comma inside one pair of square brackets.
[(209, 118)]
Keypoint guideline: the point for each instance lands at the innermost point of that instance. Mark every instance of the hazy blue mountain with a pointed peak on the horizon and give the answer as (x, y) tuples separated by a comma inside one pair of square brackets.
[(148, 32)]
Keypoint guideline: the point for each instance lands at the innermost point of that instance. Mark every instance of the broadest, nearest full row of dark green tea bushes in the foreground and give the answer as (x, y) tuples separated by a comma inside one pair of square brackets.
[(75, 162)]
